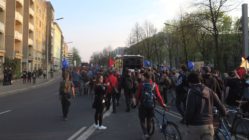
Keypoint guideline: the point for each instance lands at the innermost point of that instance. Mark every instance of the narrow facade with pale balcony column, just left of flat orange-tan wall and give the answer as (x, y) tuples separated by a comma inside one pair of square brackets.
[(28, 36)]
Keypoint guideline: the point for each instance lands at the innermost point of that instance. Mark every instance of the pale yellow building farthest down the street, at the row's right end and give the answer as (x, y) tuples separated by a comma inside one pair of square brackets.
[(57, 47)]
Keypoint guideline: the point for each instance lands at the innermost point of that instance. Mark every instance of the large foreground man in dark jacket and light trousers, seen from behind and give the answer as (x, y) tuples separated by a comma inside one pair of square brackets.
[(199, 109)]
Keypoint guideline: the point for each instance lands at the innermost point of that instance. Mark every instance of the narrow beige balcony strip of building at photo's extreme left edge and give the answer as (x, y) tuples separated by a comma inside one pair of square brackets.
[(2, 34)]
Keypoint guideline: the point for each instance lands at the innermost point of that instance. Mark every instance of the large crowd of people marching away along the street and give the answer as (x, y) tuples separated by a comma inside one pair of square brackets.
[(193, 93)]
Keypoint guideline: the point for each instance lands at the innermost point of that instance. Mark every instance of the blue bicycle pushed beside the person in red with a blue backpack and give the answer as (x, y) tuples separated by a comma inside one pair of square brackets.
[(169, 129)]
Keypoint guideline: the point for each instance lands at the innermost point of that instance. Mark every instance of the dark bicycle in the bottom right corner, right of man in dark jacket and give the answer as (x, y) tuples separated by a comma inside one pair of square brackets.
[(238, 129)]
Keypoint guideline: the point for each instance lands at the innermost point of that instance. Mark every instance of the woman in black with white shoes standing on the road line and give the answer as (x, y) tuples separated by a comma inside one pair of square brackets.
[(99, 103)]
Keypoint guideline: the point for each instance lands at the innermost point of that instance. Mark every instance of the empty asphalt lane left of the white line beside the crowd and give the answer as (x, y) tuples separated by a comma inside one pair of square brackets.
[(36, 115)]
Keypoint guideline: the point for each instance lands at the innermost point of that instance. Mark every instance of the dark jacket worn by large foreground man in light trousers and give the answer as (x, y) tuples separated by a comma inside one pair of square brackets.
[(199, 105)]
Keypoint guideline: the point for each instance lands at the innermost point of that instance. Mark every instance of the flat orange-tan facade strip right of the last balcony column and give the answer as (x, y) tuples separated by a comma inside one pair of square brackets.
[(40, 35)]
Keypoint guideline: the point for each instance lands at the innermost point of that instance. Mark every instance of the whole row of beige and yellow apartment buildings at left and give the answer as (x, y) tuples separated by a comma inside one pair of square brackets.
[(27, 34)]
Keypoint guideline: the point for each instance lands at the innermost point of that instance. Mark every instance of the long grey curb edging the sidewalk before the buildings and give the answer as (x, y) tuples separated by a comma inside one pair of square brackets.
[(12, 92)]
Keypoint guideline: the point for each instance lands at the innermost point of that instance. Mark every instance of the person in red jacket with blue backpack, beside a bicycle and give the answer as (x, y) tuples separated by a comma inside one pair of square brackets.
[(148, 92)]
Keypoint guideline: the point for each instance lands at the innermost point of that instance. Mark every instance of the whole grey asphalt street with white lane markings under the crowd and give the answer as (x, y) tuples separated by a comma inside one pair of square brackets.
[(35, 114)]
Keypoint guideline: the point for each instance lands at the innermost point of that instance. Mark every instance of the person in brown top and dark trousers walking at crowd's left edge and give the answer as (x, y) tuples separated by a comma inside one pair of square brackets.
[(66, 90)]
